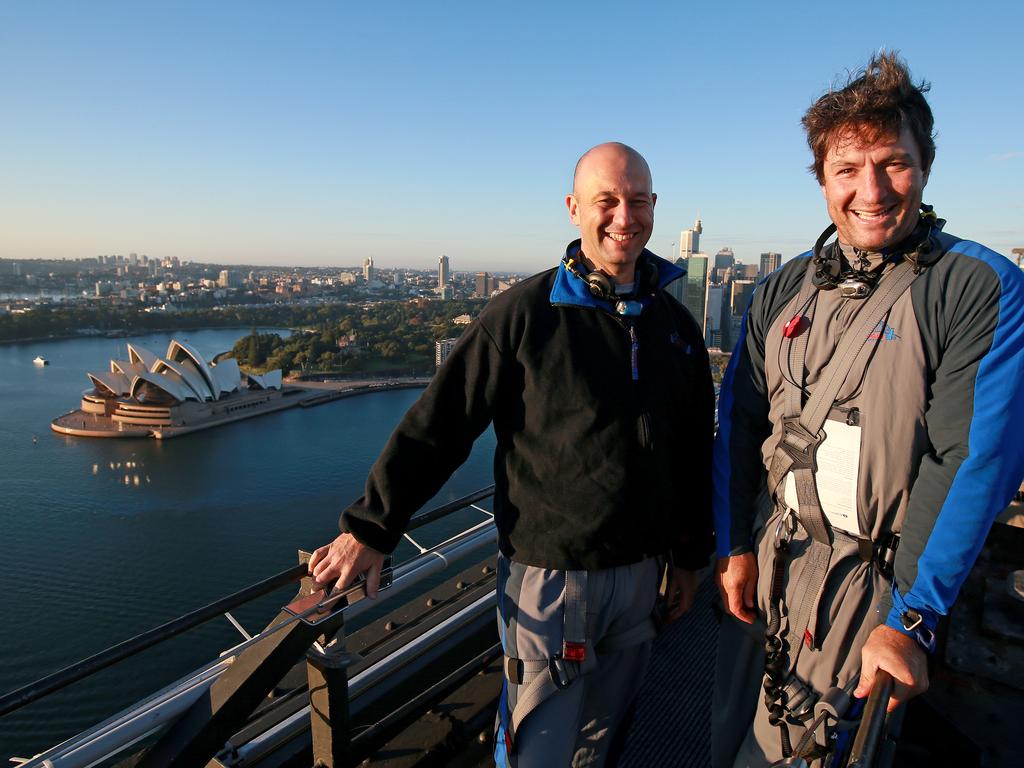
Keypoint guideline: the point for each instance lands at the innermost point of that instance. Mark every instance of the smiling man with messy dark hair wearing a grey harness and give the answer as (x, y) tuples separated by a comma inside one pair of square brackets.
[(869, 437)]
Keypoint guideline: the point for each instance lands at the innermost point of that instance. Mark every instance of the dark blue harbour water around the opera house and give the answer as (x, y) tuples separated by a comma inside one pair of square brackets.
[(103, 539)]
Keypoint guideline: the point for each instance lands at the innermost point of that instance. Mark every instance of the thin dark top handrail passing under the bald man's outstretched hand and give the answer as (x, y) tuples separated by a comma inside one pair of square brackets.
[(105, 659)]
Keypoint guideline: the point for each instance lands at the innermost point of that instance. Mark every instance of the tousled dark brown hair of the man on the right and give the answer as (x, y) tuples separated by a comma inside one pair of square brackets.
[(879, 101)]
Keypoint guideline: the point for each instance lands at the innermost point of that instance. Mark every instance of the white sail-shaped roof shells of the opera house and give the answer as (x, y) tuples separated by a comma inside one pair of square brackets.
[(181, 375)]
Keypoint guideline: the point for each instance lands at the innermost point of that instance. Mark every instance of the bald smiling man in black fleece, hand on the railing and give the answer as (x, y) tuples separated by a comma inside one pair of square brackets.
[(600, 391)]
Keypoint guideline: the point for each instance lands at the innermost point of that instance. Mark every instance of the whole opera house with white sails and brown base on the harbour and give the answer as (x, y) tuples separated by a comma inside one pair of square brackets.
[(166, 397)]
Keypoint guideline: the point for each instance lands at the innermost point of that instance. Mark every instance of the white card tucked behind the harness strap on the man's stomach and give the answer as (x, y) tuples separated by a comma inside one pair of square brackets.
[(839, 468)]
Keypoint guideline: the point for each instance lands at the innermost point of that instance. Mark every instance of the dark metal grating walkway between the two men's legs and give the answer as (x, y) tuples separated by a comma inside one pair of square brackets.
[(672, 727)]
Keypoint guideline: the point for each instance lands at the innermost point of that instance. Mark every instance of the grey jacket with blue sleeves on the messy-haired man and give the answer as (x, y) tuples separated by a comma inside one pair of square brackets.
[(940, 405)]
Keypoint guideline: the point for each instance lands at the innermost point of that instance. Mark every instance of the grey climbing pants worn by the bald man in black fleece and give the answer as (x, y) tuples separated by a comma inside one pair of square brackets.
[(575, 722)]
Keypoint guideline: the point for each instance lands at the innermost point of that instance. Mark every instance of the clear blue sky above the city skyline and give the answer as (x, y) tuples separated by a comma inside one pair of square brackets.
[(317, 134)]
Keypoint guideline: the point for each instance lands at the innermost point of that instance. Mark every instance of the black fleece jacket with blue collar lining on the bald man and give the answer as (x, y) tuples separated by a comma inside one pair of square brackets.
[(604, 424)]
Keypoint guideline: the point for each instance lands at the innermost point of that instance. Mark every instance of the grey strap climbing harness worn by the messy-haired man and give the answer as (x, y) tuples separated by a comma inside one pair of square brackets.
[(788, 700)]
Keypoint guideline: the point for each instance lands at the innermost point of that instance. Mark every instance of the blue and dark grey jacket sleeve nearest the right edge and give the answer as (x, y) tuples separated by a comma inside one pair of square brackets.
[(975, 419)]
